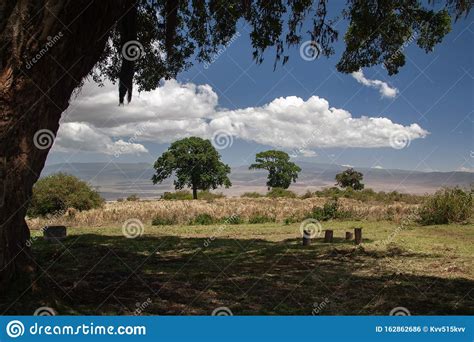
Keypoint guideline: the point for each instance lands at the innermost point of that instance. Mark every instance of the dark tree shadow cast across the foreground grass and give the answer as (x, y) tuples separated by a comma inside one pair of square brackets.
[(94, 274)]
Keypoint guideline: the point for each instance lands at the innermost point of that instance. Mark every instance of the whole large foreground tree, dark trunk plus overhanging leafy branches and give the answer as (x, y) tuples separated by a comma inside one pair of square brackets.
[(49, 46)]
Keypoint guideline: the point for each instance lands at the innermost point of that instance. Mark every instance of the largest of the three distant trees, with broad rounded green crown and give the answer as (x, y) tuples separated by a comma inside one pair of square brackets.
[(195, 163)]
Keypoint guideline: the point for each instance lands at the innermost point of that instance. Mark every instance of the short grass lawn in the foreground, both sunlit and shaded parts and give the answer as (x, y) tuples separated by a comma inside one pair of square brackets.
[(253, 270)]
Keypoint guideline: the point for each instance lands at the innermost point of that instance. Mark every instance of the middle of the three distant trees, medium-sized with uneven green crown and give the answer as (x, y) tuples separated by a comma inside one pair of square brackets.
[(281, 172)]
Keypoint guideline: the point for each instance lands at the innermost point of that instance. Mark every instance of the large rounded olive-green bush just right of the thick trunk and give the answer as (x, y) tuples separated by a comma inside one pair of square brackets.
[(58, 192)]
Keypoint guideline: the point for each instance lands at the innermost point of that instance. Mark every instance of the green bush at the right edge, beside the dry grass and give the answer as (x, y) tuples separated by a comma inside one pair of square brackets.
[(449, 205)]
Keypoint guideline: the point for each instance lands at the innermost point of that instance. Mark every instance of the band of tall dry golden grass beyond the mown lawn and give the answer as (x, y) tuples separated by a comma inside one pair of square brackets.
[(181, 212)]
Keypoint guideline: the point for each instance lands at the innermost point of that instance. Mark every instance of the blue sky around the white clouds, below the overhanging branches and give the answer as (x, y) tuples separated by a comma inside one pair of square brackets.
[(435, 91)]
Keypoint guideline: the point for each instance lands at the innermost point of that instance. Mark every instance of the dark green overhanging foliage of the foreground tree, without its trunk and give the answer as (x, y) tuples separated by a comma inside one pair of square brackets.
[(170, 34)]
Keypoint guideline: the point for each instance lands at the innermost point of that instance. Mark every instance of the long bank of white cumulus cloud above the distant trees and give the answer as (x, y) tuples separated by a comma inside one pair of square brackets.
[(94, 121)]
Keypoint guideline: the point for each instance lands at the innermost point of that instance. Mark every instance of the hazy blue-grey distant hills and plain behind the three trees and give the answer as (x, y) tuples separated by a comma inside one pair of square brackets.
[(115, 180)]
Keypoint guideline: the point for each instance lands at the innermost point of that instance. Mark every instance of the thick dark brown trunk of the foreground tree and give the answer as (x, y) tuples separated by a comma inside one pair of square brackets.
[(47, 48)]
